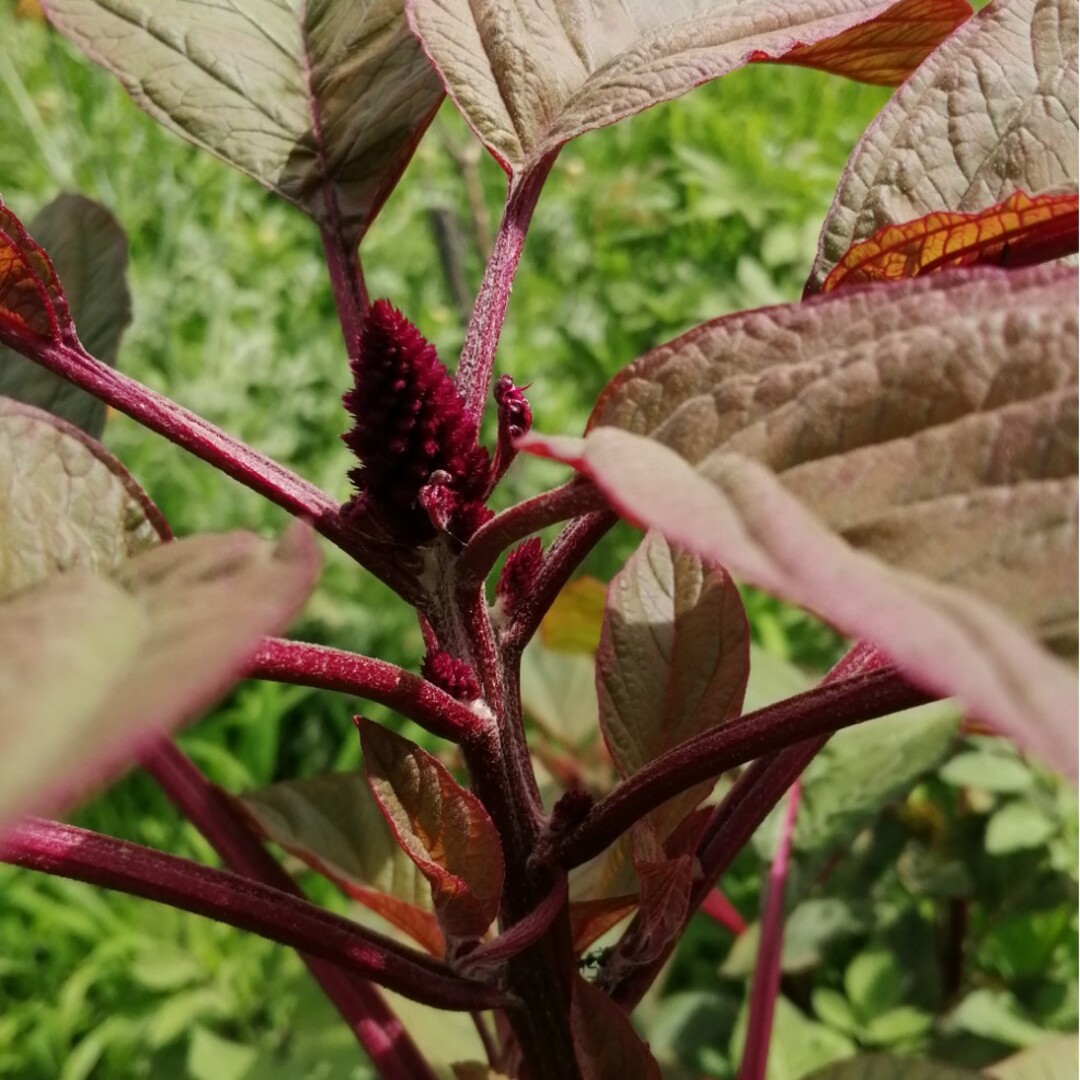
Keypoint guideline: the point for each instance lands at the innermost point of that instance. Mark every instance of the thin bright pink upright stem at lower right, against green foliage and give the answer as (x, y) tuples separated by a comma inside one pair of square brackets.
[(763, 1000)]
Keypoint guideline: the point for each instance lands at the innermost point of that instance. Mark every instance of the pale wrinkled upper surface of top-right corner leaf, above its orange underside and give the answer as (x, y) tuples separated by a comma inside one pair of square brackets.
[(993, 112)]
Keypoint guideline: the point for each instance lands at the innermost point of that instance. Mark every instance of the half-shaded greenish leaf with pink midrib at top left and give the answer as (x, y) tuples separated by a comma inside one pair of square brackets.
[(322, 103)]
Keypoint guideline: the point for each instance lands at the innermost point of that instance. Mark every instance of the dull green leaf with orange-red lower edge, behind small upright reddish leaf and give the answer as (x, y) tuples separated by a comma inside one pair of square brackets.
[(335, 826)]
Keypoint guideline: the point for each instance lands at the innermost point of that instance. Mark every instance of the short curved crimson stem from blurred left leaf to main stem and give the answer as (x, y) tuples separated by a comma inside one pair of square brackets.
[(318, 666)]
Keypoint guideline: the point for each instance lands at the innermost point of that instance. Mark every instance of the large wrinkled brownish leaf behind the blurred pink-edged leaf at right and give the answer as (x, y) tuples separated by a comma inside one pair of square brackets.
[(919, 422)]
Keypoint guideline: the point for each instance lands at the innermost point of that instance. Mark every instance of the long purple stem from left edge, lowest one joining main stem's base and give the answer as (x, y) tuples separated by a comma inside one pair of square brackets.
[(83, 856)]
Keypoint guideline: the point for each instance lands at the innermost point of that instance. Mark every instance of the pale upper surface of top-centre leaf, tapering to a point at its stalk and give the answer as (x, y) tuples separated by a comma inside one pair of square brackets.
[(530, 79)]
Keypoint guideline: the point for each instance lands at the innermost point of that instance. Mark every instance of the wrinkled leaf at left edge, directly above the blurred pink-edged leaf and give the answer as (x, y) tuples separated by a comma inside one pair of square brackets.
[(69, 504)]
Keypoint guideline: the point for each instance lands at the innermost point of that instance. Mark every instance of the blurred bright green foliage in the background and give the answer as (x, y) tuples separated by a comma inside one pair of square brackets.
[(684, 213)]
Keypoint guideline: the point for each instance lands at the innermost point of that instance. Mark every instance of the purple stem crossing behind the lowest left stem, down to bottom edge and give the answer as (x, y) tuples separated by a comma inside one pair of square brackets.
[(215, 815)]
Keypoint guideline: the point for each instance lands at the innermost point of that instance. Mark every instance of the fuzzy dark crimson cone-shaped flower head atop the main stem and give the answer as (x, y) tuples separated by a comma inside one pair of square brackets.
[(423, 471)]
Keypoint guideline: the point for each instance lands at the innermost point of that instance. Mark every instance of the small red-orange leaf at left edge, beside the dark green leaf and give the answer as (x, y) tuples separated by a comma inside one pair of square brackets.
[(32, 301)]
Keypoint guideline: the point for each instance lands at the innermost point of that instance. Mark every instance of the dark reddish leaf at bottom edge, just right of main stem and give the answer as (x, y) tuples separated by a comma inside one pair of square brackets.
[(605, 1042)]
